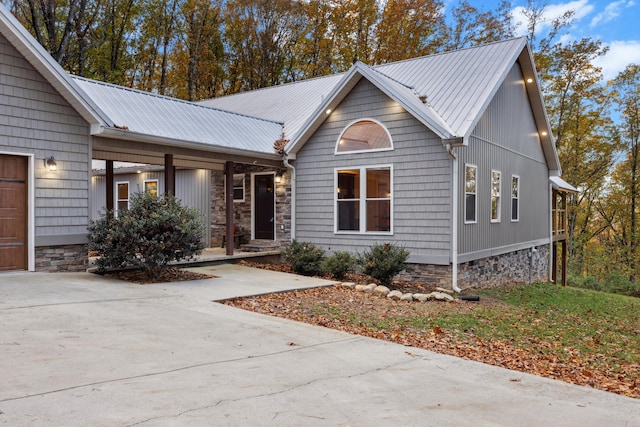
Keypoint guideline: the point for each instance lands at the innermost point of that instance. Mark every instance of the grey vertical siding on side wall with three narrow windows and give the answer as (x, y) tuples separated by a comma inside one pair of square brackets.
[(505, 139)]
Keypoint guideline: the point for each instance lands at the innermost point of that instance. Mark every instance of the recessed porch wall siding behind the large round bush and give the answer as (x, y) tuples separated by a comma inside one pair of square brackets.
[(193, 188)]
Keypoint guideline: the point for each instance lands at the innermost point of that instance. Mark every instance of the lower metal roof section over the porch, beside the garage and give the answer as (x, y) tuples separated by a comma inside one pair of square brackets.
[(159, 116)]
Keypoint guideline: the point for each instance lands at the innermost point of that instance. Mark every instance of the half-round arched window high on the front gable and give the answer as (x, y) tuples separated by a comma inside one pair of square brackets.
[(364, 135)]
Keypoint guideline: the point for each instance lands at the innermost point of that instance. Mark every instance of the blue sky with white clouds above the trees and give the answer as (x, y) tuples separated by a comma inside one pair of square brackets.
[(615, 23)]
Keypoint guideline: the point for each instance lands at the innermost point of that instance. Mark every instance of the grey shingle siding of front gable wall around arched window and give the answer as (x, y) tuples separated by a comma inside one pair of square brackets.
[(421, 167)]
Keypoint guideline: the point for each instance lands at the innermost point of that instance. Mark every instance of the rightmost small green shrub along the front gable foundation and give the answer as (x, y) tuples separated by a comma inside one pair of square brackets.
[(383, 261)]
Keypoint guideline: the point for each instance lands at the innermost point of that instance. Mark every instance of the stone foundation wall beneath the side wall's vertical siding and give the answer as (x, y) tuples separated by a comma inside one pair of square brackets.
[(504, 269)]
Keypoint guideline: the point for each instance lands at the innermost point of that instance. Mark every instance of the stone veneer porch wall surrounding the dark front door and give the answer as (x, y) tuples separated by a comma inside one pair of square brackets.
[(242, 210)]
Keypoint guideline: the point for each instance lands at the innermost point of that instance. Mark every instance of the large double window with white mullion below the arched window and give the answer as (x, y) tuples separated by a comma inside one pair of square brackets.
[(363, 200)]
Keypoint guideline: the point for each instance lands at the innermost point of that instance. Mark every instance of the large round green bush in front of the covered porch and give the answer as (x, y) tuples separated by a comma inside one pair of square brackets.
[(154, 231)]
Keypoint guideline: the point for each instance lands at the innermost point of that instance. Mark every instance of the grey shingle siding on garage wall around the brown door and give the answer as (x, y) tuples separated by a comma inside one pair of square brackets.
[(36, 120)]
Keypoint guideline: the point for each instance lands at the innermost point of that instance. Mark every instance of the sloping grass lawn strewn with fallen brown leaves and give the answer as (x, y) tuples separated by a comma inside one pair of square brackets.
[(575, 335)]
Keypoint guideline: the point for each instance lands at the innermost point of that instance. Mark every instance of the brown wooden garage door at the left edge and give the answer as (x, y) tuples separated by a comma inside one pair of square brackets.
[(13, 213)]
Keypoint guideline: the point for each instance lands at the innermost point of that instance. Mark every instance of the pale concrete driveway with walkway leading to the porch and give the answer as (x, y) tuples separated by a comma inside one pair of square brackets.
[(79, 349)]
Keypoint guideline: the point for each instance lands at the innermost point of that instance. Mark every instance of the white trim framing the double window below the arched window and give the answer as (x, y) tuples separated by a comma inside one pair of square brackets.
[(363, 201)]
